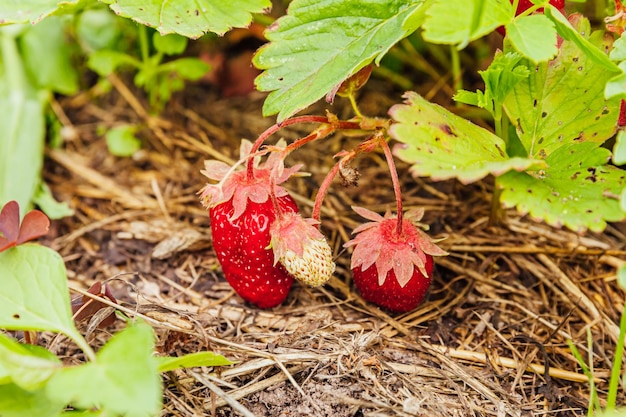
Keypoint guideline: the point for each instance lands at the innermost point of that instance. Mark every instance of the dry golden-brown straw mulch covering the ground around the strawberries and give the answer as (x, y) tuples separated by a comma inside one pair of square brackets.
[(489, 341)]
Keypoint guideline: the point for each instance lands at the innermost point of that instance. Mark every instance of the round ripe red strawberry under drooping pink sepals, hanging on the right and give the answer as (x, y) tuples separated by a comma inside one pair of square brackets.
[(392, 269)]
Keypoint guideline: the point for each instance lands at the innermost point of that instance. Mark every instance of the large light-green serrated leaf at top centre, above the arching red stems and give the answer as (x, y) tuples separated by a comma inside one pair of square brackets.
[(317, 45)]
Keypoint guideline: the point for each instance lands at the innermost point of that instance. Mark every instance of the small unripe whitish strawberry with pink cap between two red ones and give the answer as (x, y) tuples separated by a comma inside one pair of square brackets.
[(302, 249)]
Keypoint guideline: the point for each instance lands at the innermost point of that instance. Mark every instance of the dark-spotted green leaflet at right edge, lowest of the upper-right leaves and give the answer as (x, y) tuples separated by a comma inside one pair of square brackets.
[(575, 190)]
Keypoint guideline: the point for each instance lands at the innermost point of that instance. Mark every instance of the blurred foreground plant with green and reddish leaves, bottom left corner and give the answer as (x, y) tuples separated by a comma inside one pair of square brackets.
[(122, 378)]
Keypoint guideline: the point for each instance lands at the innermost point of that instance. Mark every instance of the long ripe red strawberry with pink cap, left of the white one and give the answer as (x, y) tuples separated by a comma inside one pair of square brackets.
[(242, 212)]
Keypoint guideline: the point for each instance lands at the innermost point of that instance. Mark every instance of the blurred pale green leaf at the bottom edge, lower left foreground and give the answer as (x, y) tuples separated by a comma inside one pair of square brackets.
[(124, 379)]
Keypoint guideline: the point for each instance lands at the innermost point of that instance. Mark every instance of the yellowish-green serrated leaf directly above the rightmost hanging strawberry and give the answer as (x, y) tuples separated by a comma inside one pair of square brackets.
[(443, 145)]
